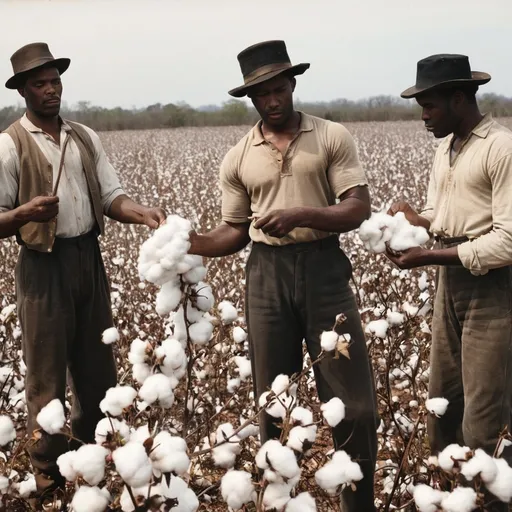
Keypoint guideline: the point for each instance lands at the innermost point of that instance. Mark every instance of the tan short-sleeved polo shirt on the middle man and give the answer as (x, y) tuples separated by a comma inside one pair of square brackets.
[(321, 163)]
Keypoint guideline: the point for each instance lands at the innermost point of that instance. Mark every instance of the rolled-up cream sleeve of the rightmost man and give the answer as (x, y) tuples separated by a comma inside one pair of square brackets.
[(494, 249)]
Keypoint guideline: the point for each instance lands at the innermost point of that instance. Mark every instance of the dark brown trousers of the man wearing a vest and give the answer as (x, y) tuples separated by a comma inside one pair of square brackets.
[(63, 302)]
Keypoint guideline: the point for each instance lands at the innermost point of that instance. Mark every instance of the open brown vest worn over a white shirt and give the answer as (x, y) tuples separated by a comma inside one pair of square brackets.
[(36, 179)]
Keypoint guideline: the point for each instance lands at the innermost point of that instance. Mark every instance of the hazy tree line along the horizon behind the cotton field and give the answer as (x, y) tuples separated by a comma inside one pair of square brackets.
[(236, 112)]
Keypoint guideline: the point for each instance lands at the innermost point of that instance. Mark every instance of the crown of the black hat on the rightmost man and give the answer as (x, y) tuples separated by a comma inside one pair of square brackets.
[(442, 68)]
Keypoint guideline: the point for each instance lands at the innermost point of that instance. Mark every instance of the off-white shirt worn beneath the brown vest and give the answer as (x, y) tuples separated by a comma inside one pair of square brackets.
[(75, 216)]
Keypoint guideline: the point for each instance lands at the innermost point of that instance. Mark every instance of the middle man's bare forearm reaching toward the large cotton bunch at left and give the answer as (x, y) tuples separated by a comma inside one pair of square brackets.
[(222, 241)]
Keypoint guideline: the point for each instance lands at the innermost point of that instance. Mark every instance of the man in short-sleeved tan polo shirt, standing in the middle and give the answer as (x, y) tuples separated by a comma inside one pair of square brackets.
[(286, 175)]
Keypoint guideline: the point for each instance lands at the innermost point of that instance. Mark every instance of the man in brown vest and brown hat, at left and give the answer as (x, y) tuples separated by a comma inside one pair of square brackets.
[(55, 207)]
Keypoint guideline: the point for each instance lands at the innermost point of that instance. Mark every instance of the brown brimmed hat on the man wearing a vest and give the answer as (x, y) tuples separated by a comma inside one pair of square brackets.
[(30, 57)]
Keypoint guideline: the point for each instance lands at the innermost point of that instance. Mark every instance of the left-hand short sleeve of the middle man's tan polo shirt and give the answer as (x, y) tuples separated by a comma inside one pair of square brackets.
[(236, 204)]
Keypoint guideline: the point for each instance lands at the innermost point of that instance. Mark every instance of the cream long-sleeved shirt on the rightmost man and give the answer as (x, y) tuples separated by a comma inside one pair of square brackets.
[(472, 196)]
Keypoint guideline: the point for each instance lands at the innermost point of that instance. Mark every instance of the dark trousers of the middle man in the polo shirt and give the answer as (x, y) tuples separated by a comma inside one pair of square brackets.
[(293, 294)]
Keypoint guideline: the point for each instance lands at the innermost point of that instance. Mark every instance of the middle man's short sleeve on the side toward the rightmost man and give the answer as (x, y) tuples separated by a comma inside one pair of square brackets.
[(345, 170)]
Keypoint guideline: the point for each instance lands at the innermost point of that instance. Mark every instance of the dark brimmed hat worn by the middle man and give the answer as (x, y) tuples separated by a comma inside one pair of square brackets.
[(263, 61)]
